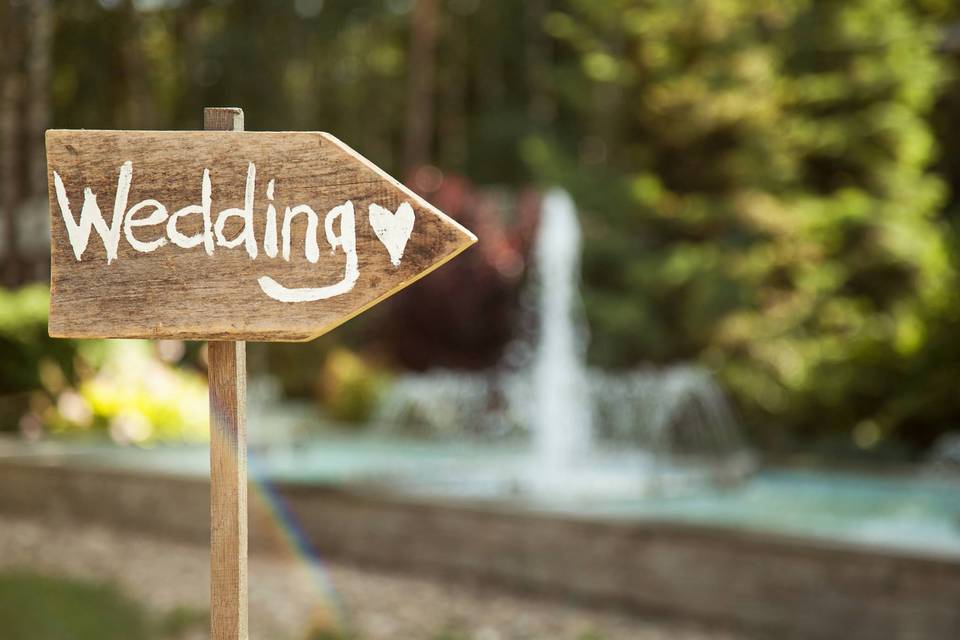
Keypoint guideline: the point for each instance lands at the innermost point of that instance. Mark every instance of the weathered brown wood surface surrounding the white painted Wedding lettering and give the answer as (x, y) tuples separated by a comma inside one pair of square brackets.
[(174, 292)]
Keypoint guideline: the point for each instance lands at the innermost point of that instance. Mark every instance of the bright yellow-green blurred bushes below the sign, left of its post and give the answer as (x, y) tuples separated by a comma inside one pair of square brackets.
[(117, 388)]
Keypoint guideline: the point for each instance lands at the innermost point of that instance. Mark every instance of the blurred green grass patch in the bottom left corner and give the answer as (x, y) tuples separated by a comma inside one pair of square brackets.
[(35, 607)]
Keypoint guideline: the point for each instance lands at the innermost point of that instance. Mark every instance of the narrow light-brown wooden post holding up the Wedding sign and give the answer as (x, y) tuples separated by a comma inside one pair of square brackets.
[(227, 376)]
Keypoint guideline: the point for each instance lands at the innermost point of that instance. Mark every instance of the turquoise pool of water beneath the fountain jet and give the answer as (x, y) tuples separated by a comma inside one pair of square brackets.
[(917, 512)]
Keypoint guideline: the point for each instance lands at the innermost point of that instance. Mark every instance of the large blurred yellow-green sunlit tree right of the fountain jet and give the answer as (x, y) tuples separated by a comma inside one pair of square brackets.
[(759, 197)]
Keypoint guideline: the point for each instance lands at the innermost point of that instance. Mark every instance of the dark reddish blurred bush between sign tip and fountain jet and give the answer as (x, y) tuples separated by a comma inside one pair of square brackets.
[(465, 314)]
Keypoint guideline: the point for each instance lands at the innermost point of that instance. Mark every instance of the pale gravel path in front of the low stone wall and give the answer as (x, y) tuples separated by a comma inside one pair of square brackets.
[(287, 597)]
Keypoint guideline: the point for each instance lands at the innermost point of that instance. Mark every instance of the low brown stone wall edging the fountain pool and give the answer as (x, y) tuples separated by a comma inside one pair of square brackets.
[(774, 586)]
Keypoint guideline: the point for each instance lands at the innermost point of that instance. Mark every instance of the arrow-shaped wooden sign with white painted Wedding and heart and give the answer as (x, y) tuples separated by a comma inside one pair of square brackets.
[(228, 235)]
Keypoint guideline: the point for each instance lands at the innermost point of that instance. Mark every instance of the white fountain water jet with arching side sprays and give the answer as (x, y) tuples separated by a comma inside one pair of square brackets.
[(591, 433)]
